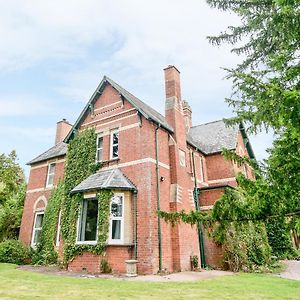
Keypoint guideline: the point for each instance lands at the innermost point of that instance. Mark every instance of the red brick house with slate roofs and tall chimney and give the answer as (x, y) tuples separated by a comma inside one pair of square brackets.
[(149, 161)]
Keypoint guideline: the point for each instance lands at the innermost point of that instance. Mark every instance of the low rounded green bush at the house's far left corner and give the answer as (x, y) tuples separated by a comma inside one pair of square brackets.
[(13, 251)]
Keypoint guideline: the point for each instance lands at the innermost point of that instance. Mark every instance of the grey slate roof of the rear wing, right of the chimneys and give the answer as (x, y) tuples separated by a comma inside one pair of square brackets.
[(212, 137)]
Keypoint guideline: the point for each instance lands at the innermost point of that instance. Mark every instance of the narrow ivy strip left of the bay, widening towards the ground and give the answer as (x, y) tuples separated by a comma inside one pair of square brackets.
[(46, 252)]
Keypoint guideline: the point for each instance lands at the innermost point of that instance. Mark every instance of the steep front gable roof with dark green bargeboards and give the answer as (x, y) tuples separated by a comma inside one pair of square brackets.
[(144, 109)]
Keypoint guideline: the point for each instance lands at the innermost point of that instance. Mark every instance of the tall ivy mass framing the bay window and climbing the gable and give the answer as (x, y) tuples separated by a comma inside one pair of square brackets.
[(80, 163)]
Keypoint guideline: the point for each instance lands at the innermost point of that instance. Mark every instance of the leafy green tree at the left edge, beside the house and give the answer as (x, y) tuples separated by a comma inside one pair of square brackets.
[(12, 195)]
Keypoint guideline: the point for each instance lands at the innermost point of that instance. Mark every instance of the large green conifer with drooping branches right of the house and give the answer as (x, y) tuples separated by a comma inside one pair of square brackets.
[(266, 95)]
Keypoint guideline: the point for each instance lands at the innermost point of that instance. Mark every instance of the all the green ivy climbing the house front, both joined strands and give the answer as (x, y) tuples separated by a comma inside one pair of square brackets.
[(80, 163)]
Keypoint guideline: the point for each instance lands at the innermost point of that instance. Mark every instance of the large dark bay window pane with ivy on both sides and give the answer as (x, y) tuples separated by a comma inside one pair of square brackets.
[(87, 227)]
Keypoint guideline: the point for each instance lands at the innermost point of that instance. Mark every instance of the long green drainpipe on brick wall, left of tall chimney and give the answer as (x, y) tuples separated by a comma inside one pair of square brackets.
[(158, 200)]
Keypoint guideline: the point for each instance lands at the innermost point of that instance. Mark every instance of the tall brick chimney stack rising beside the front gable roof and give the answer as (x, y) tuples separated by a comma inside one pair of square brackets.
[(174, 105)]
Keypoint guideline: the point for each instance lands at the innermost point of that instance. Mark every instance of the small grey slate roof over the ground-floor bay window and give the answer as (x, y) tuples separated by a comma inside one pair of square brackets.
[(109, 179)]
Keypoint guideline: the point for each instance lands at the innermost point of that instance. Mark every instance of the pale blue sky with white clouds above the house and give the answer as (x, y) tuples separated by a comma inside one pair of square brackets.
[(53, 54)]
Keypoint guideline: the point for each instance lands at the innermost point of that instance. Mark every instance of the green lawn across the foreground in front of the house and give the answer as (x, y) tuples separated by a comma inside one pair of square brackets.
[(20, 284)]
